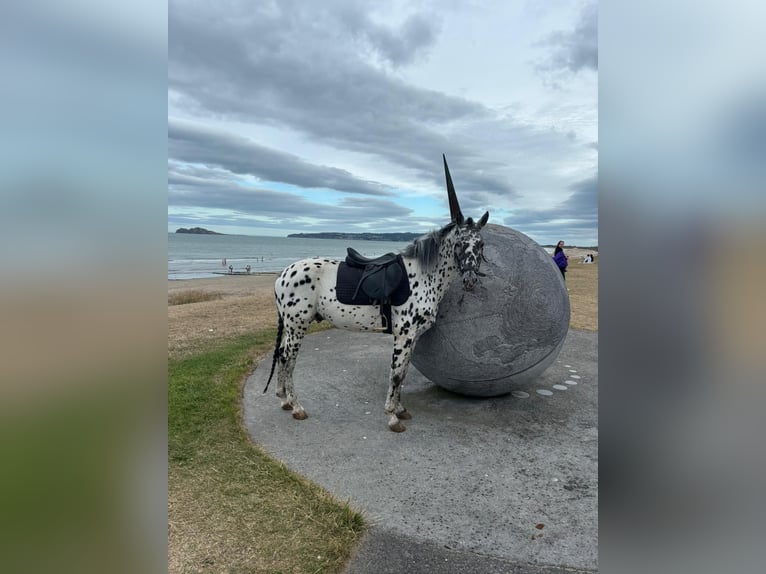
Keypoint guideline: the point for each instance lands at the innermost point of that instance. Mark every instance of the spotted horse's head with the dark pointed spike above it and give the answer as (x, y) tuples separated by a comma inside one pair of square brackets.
[(469, 247)]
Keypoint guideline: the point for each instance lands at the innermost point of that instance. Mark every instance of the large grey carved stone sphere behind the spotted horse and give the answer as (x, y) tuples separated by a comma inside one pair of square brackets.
[(506, 331)]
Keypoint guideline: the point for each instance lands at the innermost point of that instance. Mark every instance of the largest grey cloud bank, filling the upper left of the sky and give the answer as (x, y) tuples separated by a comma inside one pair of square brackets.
[(299, 67)]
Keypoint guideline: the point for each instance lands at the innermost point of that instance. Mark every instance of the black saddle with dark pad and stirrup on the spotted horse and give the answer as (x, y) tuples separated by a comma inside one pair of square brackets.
[(373, 281)]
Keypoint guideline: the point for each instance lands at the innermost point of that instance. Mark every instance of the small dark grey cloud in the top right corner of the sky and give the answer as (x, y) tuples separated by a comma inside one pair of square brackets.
[(575, 49)]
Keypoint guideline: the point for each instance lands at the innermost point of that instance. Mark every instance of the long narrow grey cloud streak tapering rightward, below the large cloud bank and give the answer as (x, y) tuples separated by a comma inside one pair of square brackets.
[(194, 144)]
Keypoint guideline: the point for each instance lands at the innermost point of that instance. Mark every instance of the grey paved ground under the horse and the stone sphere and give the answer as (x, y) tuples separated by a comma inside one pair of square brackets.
[(467, 486)]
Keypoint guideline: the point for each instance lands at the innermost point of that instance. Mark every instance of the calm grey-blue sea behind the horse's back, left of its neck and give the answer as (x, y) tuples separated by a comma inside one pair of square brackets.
[(192, 256)]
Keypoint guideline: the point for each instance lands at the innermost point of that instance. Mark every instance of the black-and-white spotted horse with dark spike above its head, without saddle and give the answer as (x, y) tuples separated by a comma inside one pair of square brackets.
[(305, 292)]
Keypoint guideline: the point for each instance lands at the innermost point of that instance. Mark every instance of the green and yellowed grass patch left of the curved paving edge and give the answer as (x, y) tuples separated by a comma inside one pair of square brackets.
[(230, 506)]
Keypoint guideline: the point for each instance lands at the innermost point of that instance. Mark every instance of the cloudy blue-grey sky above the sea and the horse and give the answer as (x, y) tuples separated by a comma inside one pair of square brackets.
[(291, 116)]
